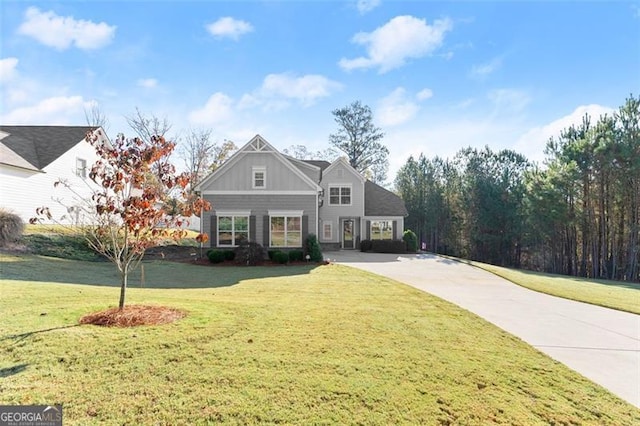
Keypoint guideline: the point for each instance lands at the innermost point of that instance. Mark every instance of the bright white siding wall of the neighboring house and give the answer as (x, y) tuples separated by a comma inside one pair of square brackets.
[(23, 191)]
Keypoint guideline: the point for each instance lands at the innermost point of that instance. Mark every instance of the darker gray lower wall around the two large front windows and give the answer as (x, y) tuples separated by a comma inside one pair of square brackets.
[(259, 205)]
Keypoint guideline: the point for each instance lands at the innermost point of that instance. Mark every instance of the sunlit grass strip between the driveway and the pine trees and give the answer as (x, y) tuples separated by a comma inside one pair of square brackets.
[(620, 295)]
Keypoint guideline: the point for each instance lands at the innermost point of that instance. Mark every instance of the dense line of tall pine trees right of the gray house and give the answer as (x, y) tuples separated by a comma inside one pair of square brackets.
[(577, 214)]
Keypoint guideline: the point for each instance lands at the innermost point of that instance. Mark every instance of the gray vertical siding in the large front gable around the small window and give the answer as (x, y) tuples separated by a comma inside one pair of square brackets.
[(239, 177)]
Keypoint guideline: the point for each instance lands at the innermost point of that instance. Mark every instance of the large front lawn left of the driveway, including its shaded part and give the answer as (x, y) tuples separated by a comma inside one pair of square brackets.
[(295, 345)]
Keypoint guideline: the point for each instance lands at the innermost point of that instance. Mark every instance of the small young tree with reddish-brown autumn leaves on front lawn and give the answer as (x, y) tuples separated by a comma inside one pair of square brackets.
[(129, 211)]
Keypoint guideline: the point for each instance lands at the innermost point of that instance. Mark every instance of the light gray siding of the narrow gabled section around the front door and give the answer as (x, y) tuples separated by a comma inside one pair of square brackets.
[(340, 175)]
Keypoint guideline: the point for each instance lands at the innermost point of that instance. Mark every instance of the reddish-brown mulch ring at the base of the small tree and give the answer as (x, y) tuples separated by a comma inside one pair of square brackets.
[(133, 316)]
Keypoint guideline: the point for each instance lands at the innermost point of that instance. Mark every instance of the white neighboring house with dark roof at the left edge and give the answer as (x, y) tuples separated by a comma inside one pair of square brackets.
[(33, 158)]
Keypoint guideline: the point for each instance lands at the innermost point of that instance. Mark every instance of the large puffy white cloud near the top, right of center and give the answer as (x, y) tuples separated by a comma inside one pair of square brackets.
[(400, 39)]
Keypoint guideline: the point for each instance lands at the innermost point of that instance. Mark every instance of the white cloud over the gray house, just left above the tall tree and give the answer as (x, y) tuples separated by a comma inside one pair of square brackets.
[(306, 89)]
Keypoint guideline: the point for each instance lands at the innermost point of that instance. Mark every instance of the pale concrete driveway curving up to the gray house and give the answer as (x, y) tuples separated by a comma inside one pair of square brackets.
[(599, 343)]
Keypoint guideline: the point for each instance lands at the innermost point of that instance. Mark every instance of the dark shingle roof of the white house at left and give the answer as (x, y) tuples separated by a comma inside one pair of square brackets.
[(39, 145)]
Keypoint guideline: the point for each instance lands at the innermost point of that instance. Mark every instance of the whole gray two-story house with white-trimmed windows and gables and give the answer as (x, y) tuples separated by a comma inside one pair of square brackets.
[(276, 200)]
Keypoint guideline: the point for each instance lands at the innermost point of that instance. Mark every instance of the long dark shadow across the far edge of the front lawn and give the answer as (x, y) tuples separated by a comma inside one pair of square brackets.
[(157, 274)]
